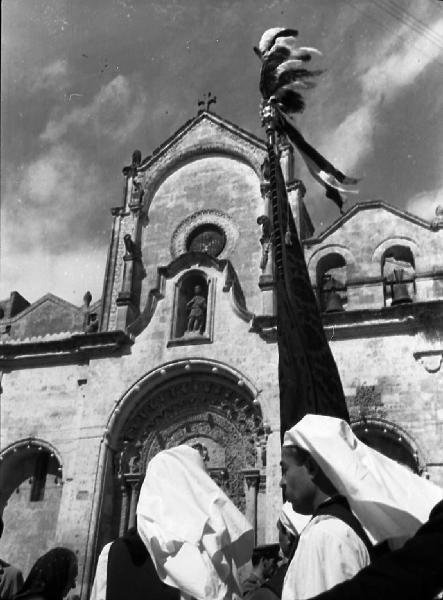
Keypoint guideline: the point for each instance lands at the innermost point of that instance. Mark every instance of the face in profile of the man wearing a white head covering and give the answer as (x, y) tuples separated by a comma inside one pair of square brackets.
[(297, 483)]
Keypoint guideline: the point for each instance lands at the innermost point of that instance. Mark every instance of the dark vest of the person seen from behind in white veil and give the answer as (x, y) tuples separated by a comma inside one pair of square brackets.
[(132, 574)]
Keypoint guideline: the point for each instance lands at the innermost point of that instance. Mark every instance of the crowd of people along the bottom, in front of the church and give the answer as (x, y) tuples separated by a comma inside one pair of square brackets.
[(355, 525)]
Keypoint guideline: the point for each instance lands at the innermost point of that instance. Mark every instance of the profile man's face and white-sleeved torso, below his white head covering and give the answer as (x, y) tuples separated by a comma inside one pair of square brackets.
[(333, 546)]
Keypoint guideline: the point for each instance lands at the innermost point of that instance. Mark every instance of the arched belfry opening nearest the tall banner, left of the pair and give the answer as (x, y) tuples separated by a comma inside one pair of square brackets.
[(331, 283)]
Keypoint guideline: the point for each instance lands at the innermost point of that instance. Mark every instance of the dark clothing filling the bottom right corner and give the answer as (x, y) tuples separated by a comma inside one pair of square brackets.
[(414, 572)]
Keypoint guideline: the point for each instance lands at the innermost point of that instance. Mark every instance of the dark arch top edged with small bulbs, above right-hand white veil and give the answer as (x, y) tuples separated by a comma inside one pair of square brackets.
[(389, 442)]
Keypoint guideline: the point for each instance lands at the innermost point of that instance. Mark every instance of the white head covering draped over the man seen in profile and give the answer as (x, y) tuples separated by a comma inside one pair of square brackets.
[(389, 500)]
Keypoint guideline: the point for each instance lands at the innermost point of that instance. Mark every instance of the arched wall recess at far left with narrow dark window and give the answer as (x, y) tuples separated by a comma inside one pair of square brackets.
[(31, 480)]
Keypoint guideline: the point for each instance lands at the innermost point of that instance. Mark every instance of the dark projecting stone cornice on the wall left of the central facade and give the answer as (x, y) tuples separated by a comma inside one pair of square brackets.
[(69, 348)]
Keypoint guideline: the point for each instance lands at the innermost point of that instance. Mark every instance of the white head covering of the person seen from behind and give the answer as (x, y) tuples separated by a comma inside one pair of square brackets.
[(195, 535)]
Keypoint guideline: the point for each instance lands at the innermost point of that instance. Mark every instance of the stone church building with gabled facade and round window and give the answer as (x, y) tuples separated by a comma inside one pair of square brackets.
[(181, 348)]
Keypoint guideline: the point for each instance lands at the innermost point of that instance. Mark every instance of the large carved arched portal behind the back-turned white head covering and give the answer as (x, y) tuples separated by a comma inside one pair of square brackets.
[(187, 404)]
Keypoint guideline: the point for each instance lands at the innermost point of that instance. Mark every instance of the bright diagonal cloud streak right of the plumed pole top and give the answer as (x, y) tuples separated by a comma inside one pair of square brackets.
[(395, 64)]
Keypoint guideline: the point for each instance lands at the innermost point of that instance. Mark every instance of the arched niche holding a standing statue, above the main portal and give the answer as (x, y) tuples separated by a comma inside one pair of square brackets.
[(191, 308)]
